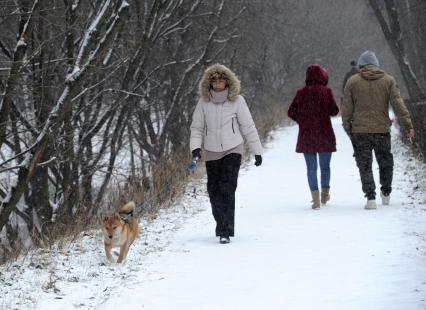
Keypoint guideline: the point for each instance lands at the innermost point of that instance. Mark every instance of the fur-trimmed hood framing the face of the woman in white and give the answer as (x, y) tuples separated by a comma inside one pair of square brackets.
[(233, 83)]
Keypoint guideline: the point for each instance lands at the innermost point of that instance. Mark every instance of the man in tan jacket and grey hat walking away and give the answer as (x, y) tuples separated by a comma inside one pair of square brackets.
[(365, 115)]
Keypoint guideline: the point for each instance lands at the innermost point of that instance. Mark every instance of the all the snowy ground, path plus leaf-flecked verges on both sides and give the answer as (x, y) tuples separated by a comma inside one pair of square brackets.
[(284, 255)]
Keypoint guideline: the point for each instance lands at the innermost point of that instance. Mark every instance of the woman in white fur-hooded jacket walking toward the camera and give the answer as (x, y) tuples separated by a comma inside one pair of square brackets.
[(220, 121)]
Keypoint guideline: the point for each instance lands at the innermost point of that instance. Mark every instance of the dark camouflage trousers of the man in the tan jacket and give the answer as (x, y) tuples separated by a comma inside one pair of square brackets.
[(364, 144)]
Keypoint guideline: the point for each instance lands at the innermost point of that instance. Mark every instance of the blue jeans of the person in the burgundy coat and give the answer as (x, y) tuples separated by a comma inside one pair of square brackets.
[(312, 165)]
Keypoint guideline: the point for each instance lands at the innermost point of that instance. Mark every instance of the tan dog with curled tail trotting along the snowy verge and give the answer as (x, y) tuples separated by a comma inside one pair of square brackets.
[(120, 230)]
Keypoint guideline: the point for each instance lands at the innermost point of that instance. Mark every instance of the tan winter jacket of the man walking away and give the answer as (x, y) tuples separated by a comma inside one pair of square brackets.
[(366, 100)]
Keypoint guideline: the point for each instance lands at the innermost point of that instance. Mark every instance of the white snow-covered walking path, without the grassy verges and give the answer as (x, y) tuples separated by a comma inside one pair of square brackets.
[(287, 256)]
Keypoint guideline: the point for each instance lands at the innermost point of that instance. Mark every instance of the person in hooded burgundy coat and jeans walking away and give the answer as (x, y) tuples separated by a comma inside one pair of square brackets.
[(312, 108)]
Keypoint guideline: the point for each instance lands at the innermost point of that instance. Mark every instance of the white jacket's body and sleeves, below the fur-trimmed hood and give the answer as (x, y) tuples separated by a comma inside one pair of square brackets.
[(222, 126)]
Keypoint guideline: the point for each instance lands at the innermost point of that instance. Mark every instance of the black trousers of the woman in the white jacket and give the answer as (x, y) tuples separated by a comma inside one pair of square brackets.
[(222, 176)]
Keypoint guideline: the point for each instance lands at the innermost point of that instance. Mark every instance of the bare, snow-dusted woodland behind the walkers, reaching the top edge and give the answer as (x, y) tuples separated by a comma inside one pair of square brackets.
[(97, 96)]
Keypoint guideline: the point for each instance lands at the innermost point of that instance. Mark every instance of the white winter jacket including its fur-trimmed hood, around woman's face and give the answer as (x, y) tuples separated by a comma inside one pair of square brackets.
[(222, 126)]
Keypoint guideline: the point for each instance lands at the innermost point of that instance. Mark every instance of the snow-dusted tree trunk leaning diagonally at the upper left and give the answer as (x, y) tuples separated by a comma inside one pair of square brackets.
[(89, 54)]
